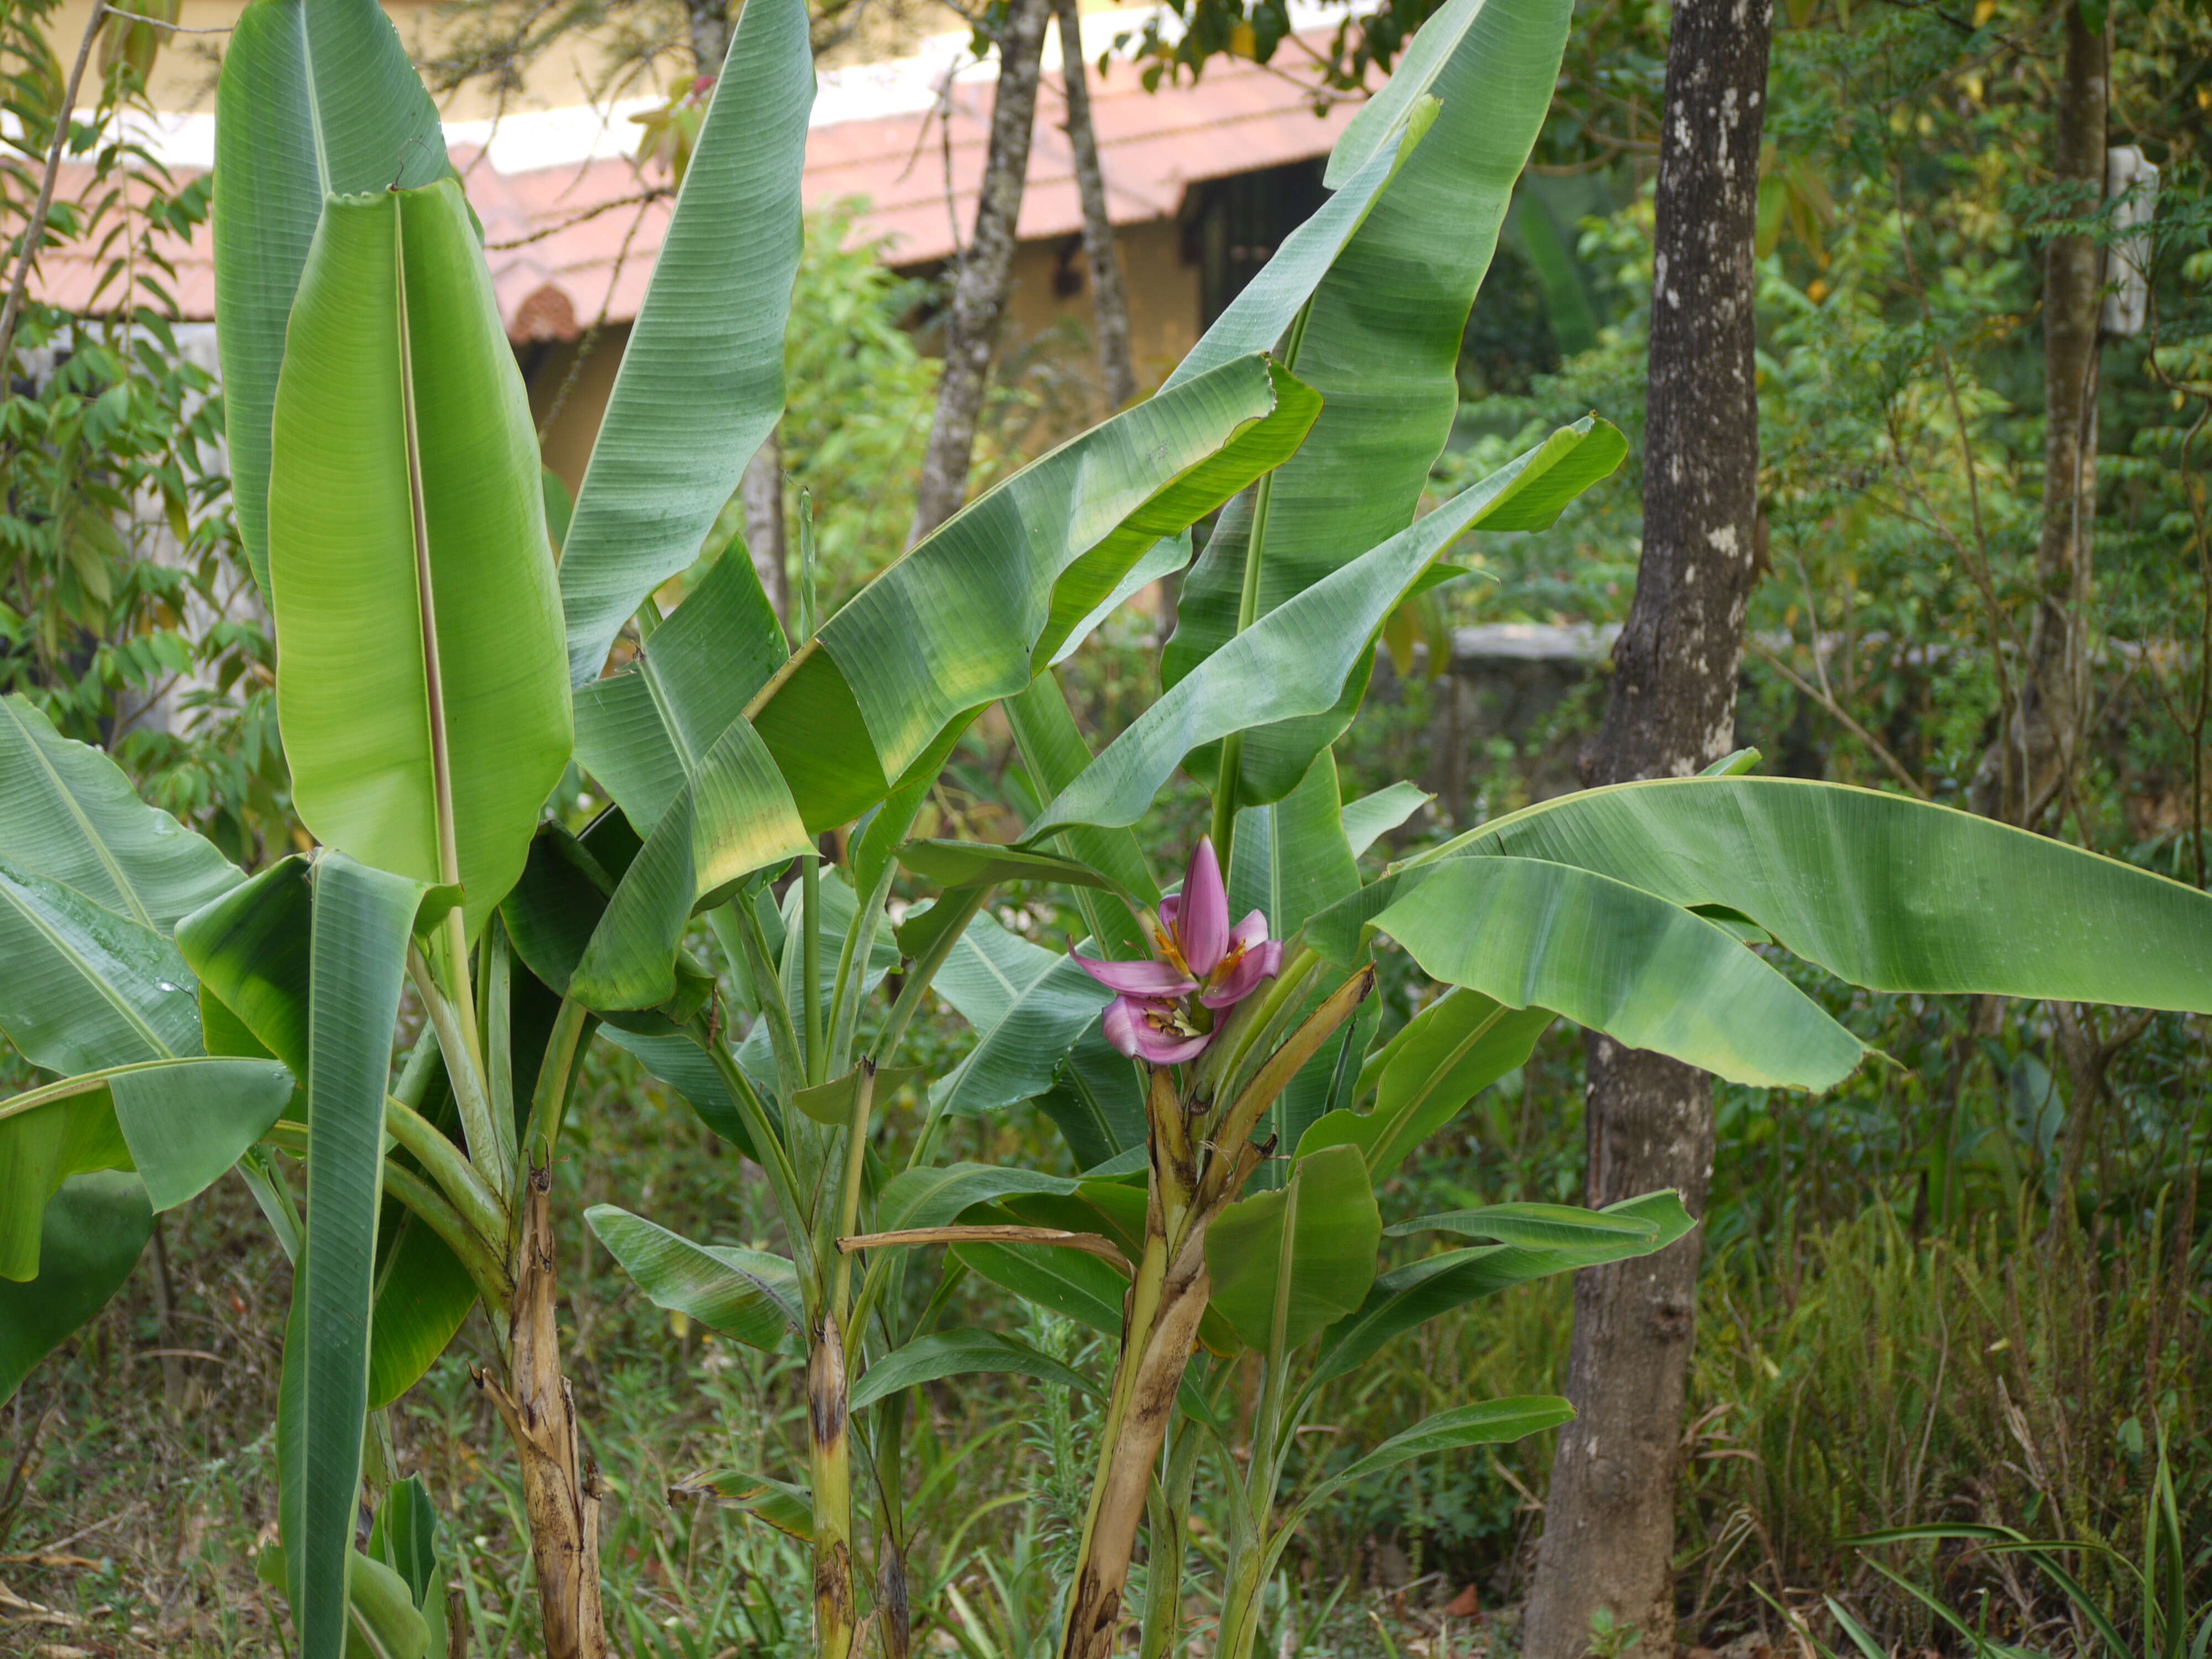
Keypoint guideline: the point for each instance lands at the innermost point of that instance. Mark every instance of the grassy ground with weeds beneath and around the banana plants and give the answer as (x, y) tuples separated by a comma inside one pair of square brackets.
[(1853, 1377)]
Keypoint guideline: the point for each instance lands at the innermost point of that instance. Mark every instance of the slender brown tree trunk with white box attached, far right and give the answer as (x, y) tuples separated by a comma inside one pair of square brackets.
[(2036, 755)]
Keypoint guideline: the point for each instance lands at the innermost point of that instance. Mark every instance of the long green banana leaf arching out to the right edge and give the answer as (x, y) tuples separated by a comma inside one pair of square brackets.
[(1886, 893)]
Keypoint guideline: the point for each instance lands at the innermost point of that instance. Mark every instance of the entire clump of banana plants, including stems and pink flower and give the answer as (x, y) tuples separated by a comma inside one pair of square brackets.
[(439, 671)]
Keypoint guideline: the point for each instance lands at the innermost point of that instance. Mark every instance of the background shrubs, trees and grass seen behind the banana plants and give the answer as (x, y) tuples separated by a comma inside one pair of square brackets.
[(1968, 1286)]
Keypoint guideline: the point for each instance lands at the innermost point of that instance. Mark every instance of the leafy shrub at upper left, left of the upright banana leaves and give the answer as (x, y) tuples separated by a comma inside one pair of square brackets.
[(125, 607)]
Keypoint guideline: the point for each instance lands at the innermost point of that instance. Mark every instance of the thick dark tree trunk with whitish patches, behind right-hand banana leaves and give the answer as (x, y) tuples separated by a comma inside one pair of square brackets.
[(1609, 1523)]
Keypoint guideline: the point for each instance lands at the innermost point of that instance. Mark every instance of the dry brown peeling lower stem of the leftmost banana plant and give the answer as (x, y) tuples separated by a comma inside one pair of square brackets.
[(539, 1408)]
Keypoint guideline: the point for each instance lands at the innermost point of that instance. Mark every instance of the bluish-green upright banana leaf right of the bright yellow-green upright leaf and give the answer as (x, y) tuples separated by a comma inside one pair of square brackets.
[(702, 373)]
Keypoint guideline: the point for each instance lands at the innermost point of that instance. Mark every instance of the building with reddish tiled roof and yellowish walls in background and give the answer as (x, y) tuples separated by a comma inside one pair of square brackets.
[(1202, 187)]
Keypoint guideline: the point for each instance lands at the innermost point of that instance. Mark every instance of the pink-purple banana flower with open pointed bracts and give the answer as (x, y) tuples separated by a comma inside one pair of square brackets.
[(1167, 1008)]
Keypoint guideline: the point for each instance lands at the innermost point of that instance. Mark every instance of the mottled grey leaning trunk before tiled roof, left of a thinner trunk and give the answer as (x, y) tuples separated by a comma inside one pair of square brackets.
[(985, 273)]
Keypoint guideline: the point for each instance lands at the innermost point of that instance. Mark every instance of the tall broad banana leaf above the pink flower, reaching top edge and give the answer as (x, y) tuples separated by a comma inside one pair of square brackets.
[(1381, 342)]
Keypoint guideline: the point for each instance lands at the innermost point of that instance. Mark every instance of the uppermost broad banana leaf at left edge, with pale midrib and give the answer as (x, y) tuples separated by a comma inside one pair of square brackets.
[(72, 815)]
